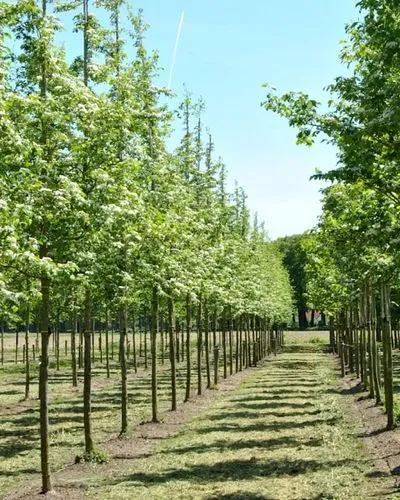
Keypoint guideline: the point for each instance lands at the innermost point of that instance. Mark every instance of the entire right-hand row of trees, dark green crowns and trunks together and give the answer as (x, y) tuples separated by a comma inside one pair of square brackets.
[(354, 258)]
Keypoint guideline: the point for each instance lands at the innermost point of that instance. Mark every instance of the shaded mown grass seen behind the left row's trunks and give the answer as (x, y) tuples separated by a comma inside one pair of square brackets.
[(19, 421)]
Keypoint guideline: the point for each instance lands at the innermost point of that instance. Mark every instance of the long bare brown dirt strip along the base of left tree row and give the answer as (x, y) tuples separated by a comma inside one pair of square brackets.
[(70, 481)]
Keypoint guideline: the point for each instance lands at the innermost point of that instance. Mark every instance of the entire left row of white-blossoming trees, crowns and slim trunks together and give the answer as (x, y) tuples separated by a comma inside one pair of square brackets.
[(99, 220)]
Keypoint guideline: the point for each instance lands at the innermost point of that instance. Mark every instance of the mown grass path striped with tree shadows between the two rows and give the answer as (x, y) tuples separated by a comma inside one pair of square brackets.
[(284, 433)]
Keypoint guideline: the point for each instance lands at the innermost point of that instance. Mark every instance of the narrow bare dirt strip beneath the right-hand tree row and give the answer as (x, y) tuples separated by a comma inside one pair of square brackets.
[(382, 445)]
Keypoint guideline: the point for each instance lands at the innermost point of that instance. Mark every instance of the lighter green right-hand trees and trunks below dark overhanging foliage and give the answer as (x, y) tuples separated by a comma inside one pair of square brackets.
[(354, 283)]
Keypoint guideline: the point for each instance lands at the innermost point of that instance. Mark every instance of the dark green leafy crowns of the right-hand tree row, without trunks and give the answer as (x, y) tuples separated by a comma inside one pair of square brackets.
[(357, 237)]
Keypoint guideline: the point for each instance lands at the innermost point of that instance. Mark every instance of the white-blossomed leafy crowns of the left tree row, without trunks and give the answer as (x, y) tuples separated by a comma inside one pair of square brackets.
[(92, 197)]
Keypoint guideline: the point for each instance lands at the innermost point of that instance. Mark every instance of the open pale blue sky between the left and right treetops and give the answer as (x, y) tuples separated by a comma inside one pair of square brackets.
[(228, 49)]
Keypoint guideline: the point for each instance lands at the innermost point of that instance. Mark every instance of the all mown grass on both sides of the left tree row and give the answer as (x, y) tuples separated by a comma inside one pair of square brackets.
[(282, 433)]
